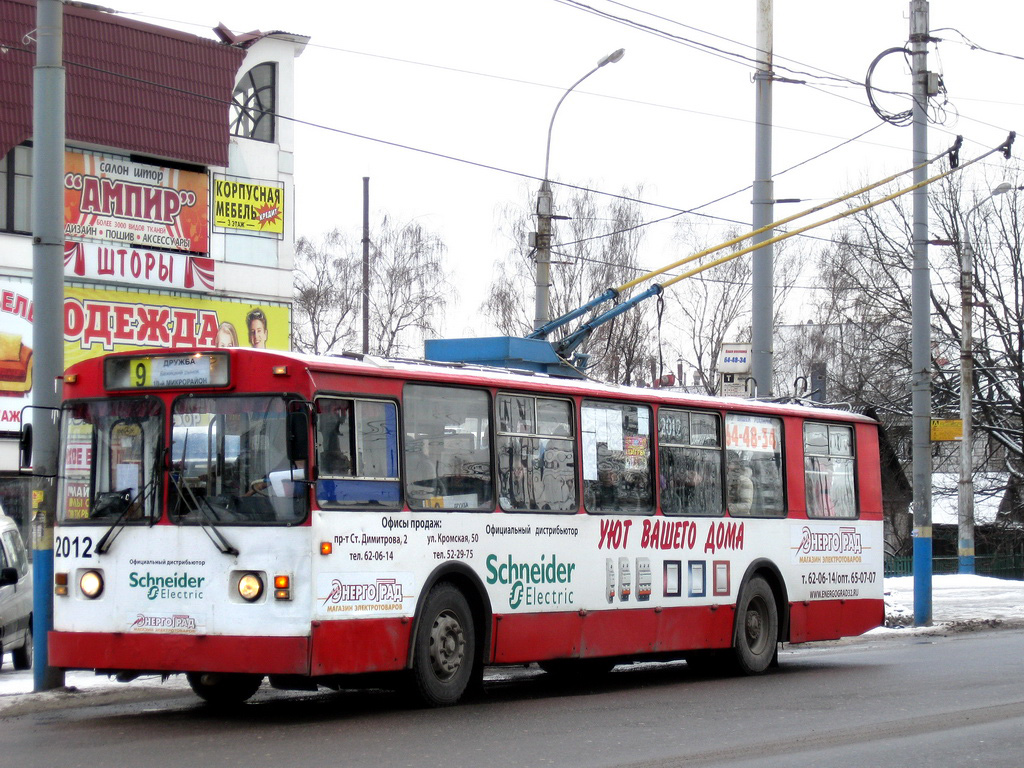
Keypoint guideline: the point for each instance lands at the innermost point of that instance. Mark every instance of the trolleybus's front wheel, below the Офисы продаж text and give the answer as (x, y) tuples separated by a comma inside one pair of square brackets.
[(445, 657)]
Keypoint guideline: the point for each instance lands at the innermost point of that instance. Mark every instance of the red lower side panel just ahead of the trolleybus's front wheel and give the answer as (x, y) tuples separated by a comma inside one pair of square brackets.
[(365, 646)]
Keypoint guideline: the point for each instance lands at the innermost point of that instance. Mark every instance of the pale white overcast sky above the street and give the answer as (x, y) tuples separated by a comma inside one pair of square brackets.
[(464, 92)]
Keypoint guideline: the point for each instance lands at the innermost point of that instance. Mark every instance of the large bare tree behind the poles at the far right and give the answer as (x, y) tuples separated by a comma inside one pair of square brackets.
[(863, 329)]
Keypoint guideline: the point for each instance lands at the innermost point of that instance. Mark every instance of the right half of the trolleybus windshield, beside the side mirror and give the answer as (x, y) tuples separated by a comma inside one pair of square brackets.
[(231, 464)]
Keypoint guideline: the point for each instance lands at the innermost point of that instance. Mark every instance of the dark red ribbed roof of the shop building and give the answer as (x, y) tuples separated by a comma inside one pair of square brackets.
[(131, 86)]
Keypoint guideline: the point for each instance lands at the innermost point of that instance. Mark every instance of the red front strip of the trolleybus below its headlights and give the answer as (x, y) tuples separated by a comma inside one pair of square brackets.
[(101, 651)]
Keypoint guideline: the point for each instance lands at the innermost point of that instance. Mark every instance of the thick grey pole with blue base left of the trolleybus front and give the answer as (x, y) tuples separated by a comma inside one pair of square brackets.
[(48, 297)]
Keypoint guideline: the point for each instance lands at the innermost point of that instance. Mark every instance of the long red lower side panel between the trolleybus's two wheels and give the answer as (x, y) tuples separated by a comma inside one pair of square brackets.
[(528, 637)]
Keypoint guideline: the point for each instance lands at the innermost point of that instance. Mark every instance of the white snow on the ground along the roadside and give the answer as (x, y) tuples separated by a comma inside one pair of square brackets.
[(957, 600)]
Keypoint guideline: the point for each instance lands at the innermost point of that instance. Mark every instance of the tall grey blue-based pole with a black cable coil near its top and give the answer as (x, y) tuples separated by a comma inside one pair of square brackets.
[(921, 381)]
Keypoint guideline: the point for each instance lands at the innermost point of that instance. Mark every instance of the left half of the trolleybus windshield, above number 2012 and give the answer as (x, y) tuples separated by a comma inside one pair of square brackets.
[(111, 463)]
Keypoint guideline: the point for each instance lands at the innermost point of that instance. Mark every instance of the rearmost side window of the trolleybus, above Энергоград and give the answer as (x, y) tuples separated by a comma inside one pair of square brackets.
[(829, 472)]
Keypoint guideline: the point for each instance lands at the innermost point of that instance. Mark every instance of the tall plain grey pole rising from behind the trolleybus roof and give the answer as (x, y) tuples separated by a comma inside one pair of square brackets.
[(763, 282)]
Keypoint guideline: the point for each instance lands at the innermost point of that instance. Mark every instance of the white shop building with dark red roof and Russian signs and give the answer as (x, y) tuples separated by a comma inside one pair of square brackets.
[(179, 193)]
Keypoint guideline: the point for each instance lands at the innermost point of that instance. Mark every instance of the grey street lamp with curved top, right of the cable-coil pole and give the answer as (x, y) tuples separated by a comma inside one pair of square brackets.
[(965, 522)]
